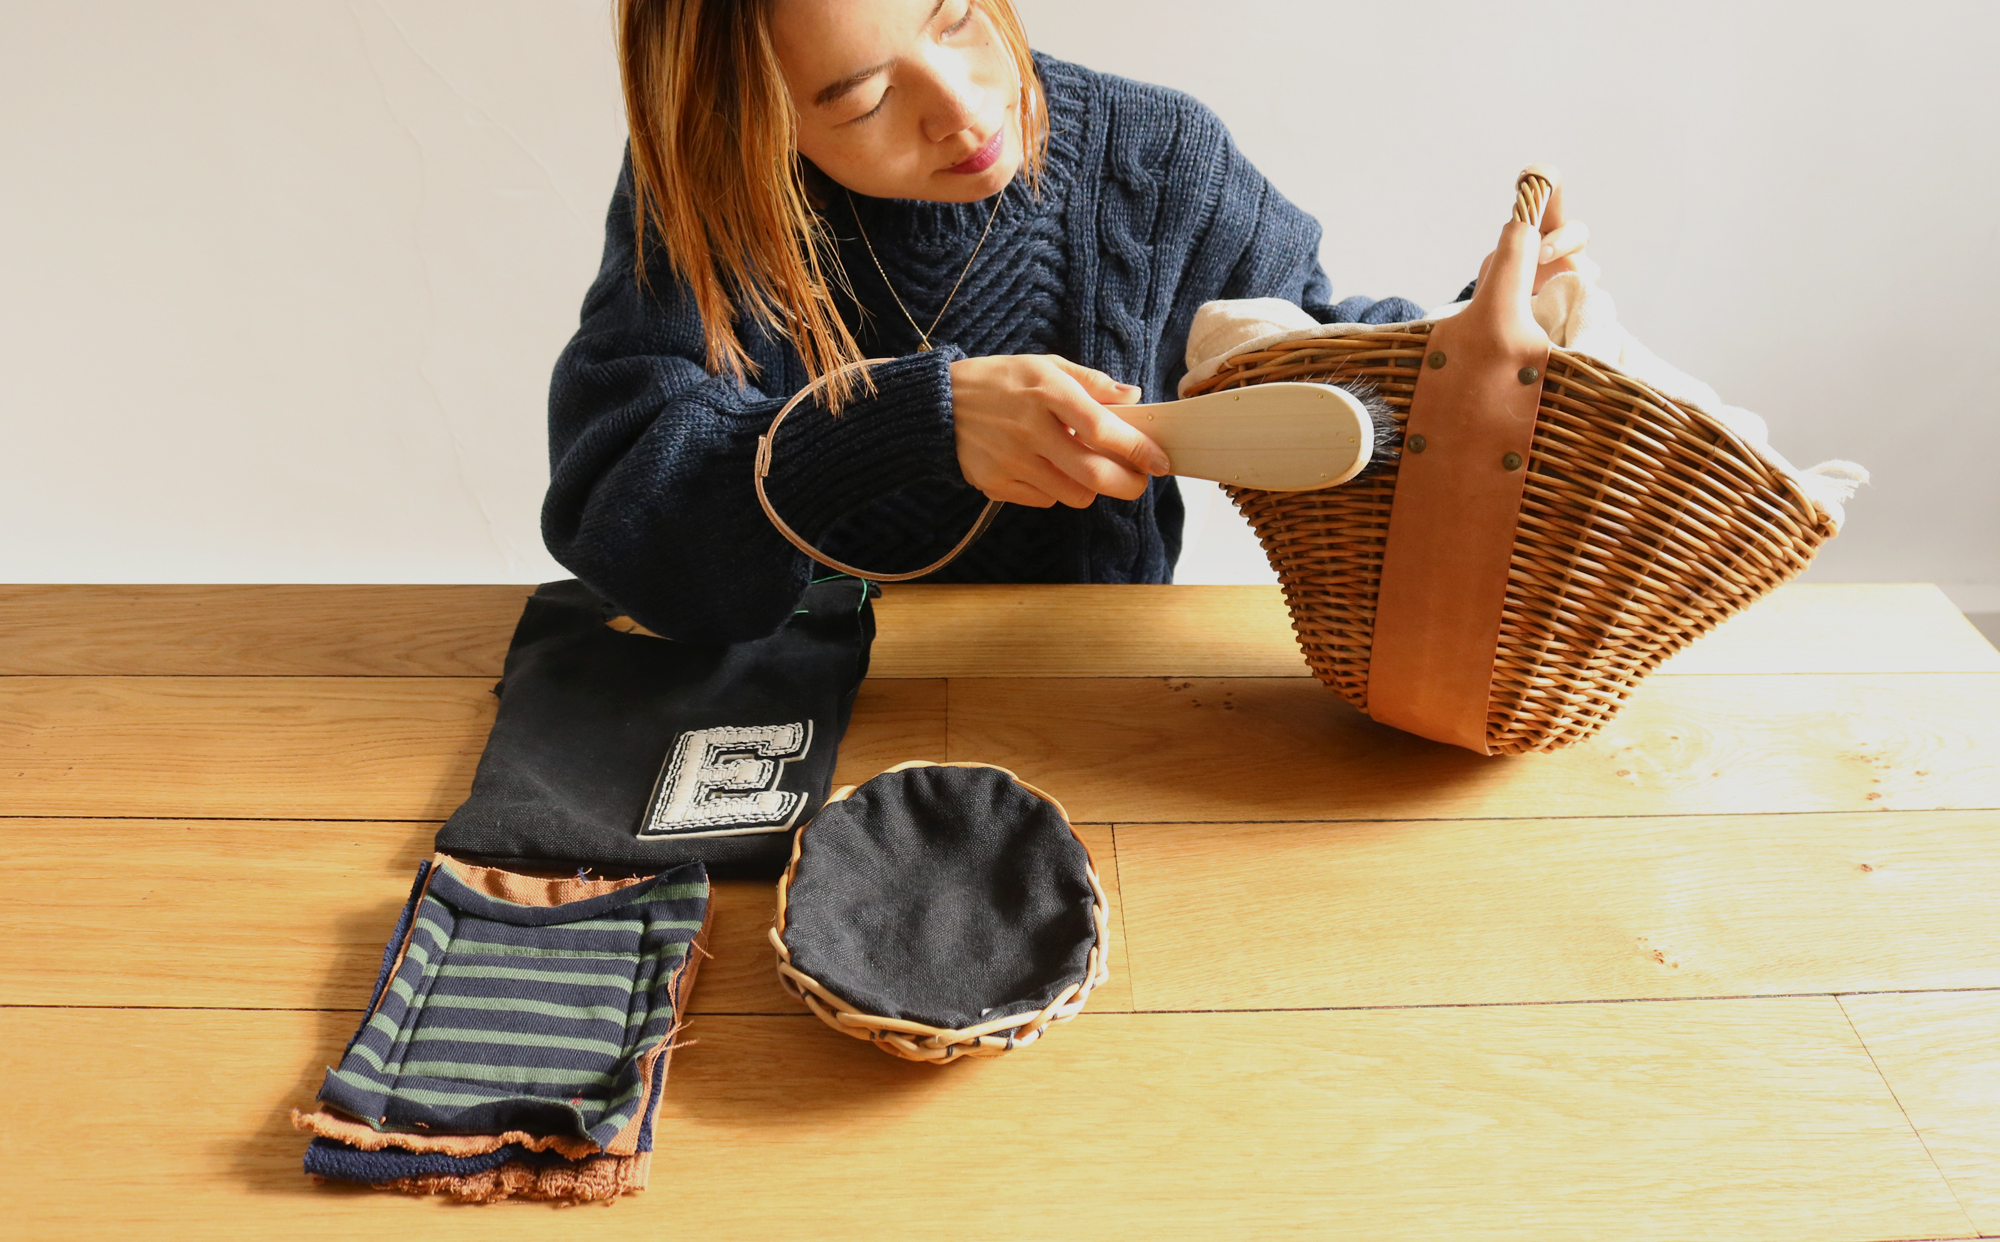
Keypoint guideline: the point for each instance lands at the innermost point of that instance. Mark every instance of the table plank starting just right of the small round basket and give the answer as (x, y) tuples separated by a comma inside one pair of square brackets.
[(1535, 911)]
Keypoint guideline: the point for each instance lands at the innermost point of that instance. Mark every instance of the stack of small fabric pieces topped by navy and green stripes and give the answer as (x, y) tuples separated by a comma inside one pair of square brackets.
[(519, 1037)]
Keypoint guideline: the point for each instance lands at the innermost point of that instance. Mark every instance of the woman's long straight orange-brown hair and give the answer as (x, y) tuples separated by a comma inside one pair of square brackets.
[(717, 181)]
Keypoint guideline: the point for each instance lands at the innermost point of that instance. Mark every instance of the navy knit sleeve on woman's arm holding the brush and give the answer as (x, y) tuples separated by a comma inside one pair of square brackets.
[(651, 493)]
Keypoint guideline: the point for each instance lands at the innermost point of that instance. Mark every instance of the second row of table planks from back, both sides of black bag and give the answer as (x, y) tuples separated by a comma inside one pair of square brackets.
[(1129, 749)]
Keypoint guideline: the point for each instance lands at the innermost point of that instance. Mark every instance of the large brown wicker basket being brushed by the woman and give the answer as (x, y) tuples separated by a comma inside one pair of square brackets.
[(1643, 523)]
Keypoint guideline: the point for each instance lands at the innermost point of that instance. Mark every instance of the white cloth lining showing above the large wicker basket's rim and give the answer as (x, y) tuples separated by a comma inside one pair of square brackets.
[(1577, 317)]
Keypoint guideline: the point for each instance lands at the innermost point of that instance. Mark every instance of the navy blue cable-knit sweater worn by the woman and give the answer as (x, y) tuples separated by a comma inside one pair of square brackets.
[(1145, 211)]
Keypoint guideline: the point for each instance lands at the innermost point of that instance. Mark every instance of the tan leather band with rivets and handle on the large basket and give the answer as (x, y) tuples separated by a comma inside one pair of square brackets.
[(1459, 491)]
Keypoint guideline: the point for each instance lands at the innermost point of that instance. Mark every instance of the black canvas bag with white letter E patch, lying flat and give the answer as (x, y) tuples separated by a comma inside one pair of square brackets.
[(627, 751)]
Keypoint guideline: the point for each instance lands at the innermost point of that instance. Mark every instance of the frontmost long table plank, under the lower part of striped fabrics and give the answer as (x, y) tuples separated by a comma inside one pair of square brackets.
[(1719, 1121)]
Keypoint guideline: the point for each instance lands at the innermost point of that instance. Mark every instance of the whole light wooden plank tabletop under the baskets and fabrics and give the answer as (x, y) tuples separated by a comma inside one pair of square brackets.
[(1725, 973)]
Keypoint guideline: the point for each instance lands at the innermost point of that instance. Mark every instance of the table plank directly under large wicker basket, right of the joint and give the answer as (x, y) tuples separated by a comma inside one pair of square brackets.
[(1279, 749)]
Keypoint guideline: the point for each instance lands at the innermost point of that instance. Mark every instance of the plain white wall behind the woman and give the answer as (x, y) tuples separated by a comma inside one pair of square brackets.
[(281, 283)]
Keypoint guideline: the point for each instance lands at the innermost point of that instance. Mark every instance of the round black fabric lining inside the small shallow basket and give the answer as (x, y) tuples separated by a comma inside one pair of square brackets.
[(943, 895)]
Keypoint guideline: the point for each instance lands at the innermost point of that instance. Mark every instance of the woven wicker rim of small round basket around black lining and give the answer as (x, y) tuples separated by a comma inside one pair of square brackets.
[(931, 1045)]
